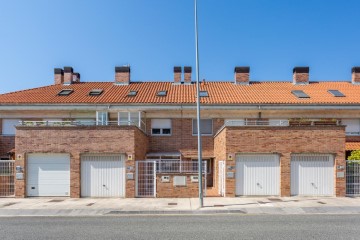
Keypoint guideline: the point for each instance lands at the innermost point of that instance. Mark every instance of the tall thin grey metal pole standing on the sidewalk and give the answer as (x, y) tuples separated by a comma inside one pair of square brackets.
[(198, 110)]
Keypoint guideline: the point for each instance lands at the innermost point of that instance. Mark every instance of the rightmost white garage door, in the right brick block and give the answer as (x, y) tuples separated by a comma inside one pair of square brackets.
[(312, 175)]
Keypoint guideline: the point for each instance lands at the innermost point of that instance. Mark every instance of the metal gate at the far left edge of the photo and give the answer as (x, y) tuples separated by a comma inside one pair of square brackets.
[(7, 178)]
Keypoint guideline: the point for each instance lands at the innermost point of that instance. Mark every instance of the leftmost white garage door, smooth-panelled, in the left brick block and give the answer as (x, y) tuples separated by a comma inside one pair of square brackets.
[(48, 175)]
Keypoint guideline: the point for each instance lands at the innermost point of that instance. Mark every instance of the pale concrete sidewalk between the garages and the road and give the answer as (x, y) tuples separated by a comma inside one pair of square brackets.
[(96, 206)]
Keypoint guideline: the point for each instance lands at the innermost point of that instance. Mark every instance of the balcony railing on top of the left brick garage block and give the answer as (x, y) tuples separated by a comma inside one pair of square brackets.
[(141, 125)]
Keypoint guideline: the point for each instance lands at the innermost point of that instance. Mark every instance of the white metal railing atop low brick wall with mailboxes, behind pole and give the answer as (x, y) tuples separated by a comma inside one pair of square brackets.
[(176, 166)]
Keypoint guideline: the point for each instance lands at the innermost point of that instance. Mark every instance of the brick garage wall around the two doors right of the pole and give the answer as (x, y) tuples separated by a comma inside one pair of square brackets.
[(284, 141)]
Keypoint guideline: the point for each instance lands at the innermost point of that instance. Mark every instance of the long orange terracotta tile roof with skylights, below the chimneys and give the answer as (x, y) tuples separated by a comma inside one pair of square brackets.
[(219, 93)]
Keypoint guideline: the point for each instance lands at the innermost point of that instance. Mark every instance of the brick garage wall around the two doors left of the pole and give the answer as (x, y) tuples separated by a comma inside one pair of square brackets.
[(77, 140)]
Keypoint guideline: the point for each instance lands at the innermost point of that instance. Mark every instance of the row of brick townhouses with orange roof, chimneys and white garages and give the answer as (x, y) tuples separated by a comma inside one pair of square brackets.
[(138, 139)]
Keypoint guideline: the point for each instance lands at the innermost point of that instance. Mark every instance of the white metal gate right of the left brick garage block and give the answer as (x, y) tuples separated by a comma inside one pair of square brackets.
[(145, 179)]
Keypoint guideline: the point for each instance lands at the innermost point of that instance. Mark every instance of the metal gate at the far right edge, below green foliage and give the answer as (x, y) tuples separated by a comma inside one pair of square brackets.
[(353, 177)]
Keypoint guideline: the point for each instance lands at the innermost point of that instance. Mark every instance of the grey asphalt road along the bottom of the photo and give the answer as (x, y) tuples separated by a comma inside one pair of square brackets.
[(183, 227)]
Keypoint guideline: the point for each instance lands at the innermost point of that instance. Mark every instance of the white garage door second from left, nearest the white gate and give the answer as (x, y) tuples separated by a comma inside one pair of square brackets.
[(102, 176)]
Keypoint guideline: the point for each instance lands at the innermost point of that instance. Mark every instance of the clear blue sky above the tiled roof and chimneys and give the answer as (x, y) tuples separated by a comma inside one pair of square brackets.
[(154, 35)]
